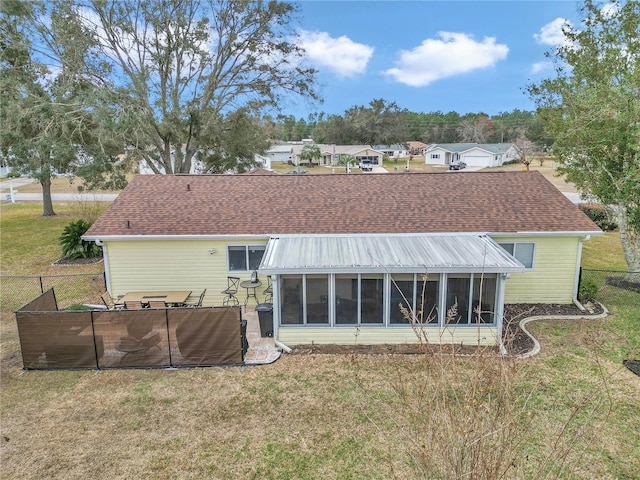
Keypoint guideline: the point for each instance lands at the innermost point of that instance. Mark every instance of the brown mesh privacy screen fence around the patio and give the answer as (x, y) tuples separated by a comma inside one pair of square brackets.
[(170, 337)]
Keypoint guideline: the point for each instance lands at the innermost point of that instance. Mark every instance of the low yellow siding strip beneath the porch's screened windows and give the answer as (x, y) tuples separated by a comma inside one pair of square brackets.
[(381, 335)]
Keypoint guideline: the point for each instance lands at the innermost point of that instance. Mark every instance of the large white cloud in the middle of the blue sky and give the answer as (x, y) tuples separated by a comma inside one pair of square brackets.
[(452, 54)]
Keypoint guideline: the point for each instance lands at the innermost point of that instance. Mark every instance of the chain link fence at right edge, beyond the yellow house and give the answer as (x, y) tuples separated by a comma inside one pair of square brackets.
[(608, 286)]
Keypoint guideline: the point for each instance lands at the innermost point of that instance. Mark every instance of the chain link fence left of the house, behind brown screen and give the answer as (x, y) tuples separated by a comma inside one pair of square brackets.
[(16, 291)]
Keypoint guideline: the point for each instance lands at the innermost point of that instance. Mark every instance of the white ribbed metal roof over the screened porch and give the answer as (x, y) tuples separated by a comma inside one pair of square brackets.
[(387, 254)]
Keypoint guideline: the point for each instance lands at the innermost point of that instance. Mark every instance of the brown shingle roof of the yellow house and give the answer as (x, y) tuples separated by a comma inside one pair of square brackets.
[(340, 204)]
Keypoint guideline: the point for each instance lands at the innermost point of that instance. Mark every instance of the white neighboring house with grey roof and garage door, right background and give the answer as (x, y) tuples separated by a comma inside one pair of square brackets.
[(473, 154)]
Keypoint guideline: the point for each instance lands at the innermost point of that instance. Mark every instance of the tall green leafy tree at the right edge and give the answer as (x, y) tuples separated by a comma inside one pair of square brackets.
[(592, 108)]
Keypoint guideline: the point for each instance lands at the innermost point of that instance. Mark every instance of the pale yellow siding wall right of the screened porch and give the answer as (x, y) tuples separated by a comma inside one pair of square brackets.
[(553, 276)]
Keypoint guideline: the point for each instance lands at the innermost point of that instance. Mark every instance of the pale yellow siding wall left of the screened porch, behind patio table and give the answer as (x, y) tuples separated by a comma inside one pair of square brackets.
[(174, 265)]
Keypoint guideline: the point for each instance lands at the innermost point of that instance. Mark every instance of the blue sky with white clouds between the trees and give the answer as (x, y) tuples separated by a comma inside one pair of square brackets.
[(428, 56)]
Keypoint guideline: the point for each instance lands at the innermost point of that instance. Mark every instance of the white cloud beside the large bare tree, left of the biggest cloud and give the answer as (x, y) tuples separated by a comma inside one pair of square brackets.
[(341, 55)]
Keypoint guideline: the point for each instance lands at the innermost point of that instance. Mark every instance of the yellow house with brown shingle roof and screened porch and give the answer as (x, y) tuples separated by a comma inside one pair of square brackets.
[(344, 251)]
